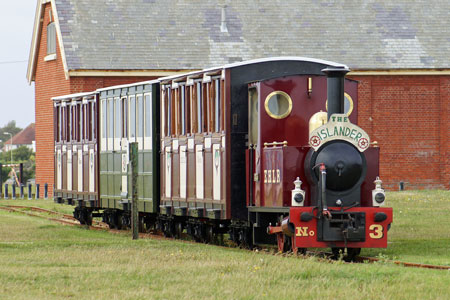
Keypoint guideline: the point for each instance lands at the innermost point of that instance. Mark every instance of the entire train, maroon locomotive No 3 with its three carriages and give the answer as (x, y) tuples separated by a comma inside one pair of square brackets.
[(266, 151)]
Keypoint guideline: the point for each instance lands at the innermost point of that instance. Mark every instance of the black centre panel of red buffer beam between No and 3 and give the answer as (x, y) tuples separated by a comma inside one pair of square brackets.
[(342, 226)]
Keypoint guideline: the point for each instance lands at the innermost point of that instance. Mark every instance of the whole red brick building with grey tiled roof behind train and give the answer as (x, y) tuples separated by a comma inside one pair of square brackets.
[(398, 53)]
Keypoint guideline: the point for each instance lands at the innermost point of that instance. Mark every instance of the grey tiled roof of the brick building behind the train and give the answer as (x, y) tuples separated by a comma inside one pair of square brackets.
[(188, 34)]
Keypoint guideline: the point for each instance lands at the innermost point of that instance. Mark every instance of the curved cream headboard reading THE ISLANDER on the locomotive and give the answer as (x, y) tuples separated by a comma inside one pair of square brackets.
[(339, 128)]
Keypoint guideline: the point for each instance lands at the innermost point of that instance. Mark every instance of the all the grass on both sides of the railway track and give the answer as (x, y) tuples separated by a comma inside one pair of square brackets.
[(43, 260)]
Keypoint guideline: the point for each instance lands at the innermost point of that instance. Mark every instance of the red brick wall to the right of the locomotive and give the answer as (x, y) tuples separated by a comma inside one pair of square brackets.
[(408, 116)]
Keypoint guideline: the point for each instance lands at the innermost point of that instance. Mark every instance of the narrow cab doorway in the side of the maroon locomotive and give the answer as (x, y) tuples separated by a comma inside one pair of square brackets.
[(253, 154)]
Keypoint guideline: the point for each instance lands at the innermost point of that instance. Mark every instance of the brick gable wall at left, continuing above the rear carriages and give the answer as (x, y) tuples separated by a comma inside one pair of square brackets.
[(50, 82)]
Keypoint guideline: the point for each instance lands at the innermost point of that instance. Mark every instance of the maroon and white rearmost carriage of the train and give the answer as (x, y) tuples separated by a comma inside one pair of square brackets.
[(75, 135)]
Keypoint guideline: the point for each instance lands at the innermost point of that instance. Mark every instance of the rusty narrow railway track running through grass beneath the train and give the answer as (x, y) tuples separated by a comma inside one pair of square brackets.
[(97, 225)]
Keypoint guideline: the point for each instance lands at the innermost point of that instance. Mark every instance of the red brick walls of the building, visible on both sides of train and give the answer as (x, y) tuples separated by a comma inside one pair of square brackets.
[(407, 115)]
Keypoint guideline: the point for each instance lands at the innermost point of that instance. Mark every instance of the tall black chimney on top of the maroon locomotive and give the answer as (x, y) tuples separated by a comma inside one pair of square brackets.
[(335, 89)]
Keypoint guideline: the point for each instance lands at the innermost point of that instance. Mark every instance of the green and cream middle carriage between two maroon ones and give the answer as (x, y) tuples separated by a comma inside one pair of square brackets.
[(128, 113)]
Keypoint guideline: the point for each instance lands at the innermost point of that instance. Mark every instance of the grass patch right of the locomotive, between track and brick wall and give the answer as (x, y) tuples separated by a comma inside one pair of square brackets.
[(420, 231)]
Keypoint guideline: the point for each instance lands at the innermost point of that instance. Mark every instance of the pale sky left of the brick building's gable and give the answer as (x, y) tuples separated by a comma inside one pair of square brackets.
[(16, 29)]
